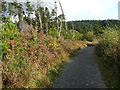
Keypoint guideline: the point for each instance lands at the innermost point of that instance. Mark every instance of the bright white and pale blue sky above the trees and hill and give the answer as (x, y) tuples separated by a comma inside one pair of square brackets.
[(87, 9)]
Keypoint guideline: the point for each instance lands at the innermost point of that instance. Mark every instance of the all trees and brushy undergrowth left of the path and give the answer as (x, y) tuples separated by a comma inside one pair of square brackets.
[(34, 49)]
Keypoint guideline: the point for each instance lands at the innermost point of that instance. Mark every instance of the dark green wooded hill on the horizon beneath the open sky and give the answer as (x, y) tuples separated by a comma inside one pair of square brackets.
[(97, 26)]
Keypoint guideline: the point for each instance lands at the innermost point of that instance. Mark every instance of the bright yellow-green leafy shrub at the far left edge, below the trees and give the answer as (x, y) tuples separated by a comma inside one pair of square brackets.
[(8, 32)]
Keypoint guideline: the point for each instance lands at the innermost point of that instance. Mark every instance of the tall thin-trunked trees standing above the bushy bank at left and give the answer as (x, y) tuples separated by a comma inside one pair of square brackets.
[(44, 17)]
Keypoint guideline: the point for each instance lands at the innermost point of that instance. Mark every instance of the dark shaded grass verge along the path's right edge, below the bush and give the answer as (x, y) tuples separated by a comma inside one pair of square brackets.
[(109, 72)]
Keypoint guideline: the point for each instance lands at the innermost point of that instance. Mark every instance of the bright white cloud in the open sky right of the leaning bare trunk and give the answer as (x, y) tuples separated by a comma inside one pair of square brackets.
[(96, 8)]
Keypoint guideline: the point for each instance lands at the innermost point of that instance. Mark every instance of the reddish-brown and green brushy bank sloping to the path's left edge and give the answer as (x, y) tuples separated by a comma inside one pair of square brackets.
[(32, 60)]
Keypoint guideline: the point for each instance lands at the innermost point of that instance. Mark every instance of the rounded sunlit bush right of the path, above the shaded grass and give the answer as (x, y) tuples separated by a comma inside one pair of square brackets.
[(109, 46)]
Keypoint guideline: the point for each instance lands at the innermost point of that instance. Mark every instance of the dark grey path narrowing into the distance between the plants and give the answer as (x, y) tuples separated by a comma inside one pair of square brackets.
[(81, 72)]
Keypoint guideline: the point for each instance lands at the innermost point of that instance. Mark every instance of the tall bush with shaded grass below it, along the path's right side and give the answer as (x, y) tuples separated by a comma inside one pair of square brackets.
[(108, 53)]
